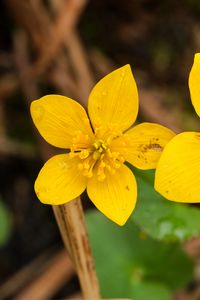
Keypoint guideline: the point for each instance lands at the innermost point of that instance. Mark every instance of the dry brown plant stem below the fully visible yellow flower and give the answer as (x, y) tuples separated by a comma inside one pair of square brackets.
[(70, 219)]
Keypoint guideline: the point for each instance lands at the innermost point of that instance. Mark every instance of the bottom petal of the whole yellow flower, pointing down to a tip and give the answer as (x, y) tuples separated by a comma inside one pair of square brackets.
[(116, 195)]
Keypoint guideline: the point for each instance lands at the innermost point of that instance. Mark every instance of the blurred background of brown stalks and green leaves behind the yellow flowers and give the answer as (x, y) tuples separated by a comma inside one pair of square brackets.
[(65, 47)]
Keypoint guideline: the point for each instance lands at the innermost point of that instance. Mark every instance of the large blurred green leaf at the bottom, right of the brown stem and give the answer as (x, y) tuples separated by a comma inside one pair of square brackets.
[(130, 264)]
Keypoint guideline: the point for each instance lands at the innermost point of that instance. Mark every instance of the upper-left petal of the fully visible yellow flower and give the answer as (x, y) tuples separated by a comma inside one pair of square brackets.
[(59, 119)]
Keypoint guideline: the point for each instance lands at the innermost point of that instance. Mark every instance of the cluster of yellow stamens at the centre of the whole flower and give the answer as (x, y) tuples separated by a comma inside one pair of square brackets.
[(96, 156)]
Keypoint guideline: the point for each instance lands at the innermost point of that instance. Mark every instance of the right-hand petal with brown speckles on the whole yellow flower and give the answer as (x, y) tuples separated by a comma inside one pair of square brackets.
[(143, 144)]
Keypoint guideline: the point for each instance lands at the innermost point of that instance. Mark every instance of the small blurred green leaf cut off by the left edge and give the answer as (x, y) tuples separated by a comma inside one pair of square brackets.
[(5, 224)]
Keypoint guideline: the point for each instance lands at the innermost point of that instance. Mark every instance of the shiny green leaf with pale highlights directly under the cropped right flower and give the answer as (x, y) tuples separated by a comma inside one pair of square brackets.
[(160, 218)]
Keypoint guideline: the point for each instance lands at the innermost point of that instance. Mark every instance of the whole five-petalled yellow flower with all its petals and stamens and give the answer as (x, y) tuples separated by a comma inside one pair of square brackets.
[(98, 147)]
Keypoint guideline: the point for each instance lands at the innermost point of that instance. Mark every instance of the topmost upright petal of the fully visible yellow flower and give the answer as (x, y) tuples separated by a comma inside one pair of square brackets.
[(114, 100)]
